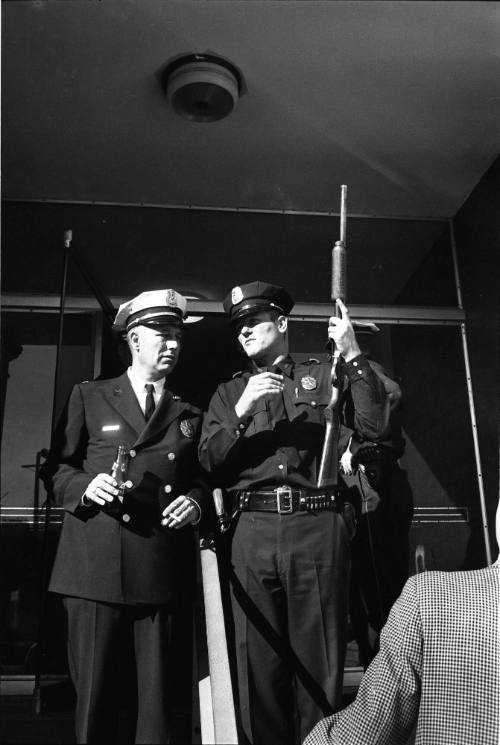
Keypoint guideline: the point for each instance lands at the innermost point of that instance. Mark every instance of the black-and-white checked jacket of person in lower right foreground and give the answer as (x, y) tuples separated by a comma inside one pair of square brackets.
[(437, 669)]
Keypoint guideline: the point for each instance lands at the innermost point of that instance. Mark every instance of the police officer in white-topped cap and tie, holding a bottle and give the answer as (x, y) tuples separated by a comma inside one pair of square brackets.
[(119, 563)]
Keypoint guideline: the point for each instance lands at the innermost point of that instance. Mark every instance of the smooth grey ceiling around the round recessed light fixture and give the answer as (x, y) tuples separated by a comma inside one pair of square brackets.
[(399, 100)]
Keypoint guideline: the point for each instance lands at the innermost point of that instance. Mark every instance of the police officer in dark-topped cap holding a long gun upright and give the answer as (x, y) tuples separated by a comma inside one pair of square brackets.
[(262, 440)]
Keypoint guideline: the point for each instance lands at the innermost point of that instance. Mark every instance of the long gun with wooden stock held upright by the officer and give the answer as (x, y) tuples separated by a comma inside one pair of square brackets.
[(328, 469)]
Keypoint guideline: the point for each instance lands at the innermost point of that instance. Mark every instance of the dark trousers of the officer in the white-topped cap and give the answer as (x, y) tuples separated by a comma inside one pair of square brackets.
[(99, 636)]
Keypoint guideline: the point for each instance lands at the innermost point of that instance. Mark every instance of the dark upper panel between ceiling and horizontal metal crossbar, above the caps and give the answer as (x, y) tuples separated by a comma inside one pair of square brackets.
[(206, 252)]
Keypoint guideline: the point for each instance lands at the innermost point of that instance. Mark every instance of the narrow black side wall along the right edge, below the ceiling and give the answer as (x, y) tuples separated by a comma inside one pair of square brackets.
[(477, 234)]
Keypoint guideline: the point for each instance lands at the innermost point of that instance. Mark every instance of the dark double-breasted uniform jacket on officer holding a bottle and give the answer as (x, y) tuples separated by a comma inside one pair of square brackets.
[(124, 555)]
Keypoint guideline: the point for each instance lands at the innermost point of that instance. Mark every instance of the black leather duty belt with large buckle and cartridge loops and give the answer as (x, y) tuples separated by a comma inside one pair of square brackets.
[(284, 500)]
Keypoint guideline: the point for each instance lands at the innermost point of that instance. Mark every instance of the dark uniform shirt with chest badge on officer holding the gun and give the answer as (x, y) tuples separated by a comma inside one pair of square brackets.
[(281, 443)]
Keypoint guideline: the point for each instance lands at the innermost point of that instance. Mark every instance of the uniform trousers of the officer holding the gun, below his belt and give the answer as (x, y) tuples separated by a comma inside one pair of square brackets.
[(289, 585)]
